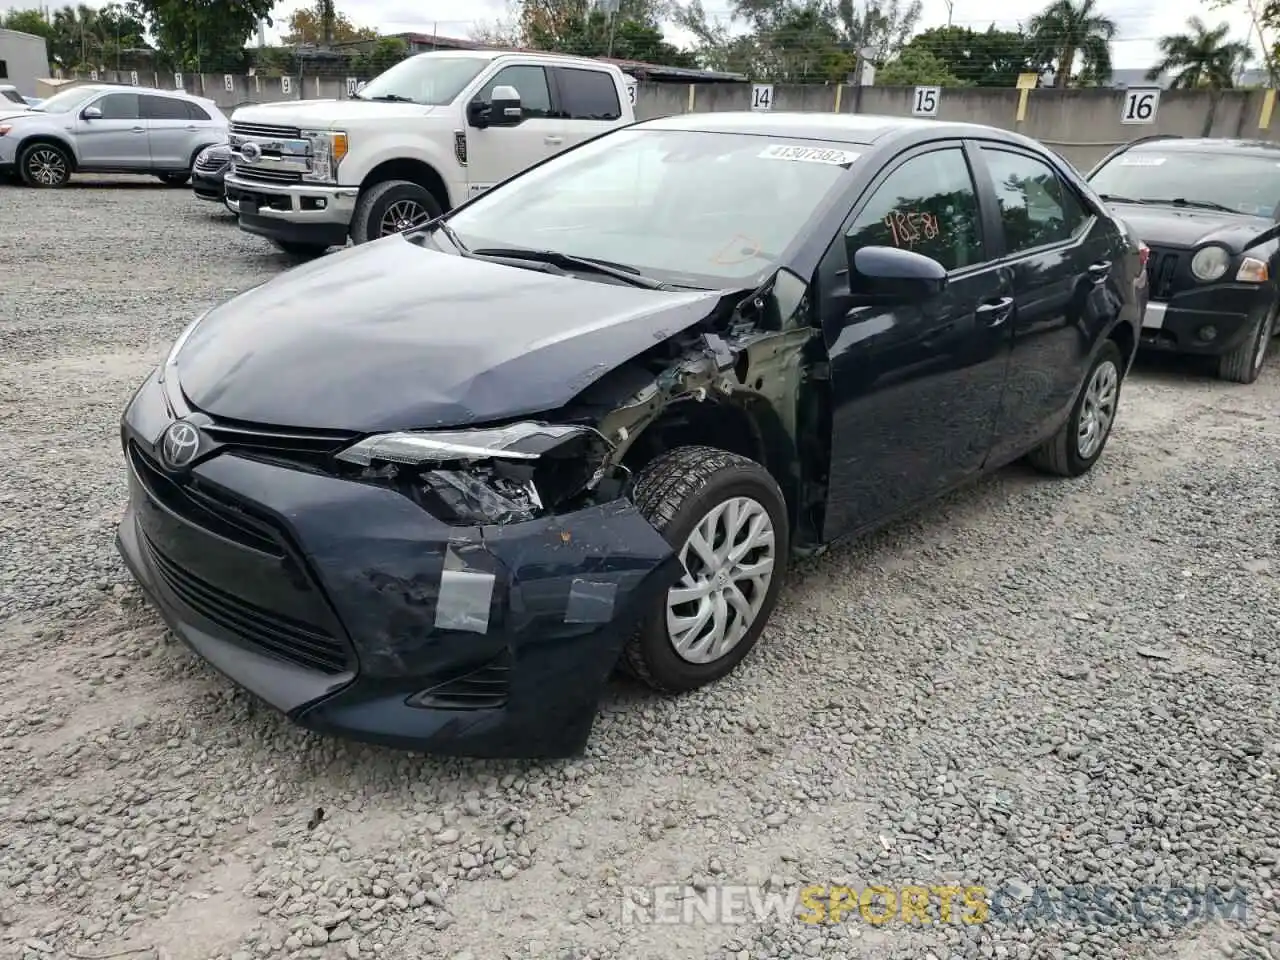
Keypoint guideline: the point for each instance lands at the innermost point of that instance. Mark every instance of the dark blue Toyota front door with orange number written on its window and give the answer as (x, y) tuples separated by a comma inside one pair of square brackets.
[(916, 387)]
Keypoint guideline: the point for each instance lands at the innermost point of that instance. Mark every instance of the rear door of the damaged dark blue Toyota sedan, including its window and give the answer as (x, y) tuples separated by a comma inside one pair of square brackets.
[(1059, 257)]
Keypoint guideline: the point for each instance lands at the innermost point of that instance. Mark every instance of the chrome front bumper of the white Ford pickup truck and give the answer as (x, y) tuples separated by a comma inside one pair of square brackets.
[(300, 213)]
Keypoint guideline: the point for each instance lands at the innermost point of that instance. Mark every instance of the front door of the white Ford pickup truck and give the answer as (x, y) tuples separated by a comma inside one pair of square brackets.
[(499, 153)]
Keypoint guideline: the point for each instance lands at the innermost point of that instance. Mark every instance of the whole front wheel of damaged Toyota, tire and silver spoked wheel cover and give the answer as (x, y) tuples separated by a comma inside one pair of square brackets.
[(728, 520)]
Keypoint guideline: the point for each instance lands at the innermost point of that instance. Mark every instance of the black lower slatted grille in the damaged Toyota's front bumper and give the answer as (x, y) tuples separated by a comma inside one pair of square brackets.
[(282, 638)]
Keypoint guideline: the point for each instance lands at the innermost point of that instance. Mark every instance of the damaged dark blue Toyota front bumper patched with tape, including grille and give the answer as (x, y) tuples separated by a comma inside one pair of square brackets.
[(337, 602)]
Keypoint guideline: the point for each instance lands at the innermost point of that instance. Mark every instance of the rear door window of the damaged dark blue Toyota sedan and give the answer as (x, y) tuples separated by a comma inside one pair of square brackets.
[(1035, 205)]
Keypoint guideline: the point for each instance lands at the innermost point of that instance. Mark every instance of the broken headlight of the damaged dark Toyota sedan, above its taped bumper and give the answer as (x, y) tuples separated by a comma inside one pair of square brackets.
[(490, 476)]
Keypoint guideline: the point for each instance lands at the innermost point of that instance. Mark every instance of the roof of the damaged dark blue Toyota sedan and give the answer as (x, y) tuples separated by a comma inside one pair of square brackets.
[(849, 129)]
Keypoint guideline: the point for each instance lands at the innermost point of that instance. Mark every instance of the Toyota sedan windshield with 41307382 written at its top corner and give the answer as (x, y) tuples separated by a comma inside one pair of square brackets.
[(715, 209)]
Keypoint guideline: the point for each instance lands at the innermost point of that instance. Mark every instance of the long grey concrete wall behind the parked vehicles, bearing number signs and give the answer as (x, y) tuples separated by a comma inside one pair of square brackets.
[(1081, 125)]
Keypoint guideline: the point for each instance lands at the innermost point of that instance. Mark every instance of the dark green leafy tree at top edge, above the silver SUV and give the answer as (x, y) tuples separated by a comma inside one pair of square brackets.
[(205, 35)]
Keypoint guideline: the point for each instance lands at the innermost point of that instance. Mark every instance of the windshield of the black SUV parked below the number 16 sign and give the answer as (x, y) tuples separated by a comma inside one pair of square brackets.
[(1240, 182)]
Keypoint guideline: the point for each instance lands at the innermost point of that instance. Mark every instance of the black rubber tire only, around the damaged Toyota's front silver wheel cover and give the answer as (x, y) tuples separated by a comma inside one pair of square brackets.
[(676, 493)]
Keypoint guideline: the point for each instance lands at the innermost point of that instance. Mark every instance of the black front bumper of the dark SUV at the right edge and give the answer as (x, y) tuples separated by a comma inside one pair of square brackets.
[(1231, 309)]
